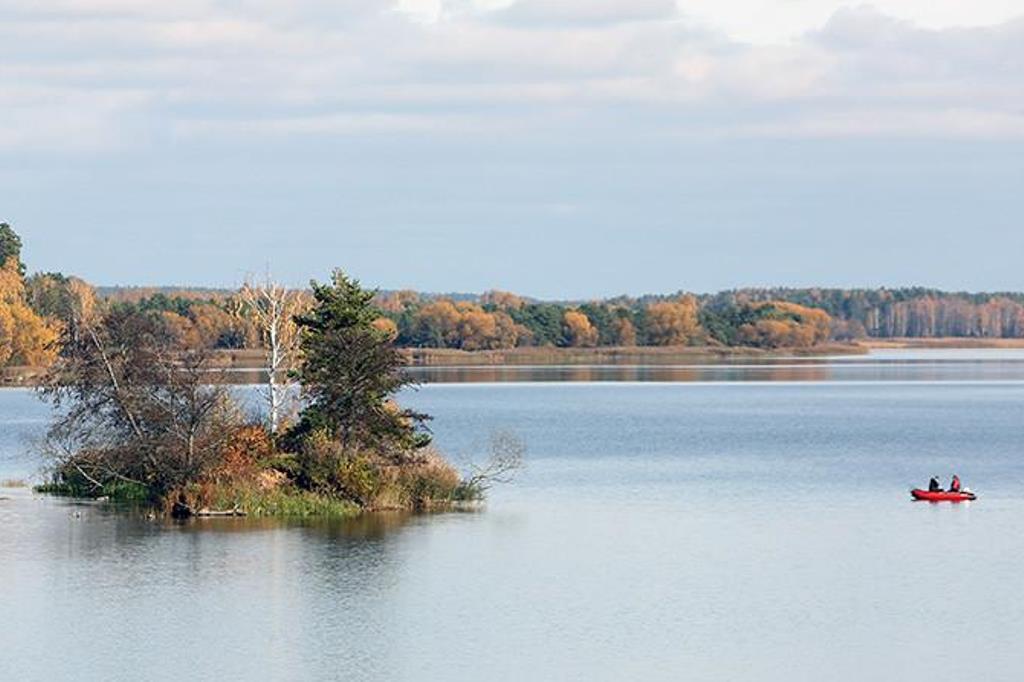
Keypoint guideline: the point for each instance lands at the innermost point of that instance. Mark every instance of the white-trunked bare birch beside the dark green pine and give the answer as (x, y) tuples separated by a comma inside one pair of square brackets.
[(274, 309)]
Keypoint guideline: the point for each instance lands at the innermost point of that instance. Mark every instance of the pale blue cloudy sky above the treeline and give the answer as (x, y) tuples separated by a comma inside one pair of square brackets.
[(560, 149)]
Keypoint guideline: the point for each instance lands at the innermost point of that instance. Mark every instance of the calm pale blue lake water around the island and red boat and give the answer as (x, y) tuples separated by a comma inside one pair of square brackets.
[(706, 528)]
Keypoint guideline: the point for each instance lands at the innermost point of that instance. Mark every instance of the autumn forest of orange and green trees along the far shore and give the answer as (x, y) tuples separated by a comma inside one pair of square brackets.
[(36, 309)]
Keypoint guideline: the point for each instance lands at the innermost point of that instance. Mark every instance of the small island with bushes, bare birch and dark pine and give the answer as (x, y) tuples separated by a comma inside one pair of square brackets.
[(144, 415)]
